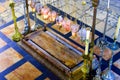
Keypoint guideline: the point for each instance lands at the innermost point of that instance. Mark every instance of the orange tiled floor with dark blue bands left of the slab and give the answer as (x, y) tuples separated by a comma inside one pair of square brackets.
[(16, 63)]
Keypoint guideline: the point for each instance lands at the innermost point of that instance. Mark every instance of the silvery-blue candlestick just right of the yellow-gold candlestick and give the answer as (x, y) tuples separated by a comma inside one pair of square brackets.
[(26, 27)]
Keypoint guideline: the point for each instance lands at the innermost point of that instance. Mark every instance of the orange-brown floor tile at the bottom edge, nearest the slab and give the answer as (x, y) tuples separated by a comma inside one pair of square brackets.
[(25, 72)]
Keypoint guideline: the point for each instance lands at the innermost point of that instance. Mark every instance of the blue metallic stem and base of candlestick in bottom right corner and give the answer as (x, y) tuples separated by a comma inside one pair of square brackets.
[(108, 75)]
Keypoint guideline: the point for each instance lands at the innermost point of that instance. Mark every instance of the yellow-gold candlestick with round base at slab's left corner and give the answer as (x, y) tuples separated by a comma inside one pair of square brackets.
[(17, 36)]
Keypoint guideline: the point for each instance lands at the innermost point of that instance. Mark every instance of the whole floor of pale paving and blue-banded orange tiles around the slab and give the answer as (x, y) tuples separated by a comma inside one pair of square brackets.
[(16, 64)]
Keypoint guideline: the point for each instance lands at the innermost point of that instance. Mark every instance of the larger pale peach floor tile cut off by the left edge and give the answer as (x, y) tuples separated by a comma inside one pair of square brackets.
[(8, 58)]
